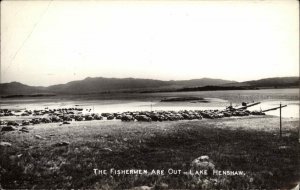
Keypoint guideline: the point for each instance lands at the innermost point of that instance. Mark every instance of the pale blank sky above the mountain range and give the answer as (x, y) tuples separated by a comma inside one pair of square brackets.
[(52, 42)]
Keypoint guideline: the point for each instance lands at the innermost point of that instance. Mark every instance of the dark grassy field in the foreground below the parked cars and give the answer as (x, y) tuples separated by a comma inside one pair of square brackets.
[(249, 144)]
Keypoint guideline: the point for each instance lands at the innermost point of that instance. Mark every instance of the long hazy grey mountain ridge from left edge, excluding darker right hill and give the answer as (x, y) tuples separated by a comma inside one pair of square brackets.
[(100, 84)]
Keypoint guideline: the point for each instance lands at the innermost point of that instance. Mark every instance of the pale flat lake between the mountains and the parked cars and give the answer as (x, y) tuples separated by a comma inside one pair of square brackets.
[(119, 102)]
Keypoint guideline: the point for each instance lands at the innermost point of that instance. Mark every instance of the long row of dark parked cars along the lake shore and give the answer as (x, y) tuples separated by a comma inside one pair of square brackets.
[(67, 115)]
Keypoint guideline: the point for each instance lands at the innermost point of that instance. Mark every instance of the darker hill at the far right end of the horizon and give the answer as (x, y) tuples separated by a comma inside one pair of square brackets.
[(276, 82)]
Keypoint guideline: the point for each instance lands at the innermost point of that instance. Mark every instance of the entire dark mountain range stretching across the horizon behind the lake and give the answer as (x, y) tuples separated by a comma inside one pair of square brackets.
[(100, 84)]
